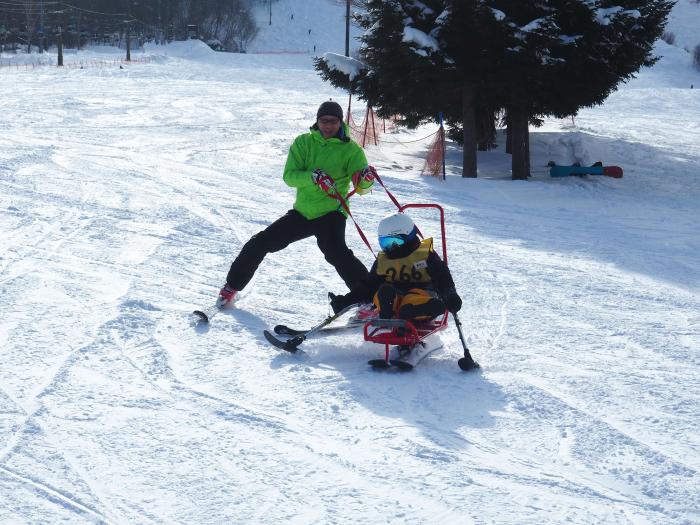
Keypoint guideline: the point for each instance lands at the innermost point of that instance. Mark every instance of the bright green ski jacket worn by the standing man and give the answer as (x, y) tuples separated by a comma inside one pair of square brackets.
[(339, 158)]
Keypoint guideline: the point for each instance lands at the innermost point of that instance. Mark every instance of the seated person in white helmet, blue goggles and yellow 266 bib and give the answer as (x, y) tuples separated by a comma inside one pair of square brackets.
[(408, 280)]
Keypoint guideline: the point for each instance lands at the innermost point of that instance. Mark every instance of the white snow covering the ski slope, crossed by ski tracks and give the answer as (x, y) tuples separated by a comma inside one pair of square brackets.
[(124, 195)]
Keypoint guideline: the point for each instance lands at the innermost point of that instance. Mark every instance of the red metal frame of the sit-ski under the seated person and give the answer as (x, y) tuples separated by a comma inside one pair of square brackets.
[(408, 333)]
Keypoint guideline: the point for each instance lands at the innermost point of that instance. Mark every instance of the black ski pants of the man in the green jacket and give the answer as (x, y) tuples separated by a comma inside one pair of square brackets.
[(329, 231)]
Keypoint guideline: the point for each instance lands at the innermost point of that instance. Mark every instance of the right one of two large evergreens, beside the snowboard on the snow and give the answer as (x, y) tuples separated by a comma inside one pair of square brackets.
[(563, 55)]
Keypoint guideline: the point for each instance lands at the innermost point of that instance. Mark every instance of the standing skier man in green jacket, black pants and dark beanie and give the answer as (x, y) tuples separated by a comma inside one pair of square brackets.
[(320, 163)]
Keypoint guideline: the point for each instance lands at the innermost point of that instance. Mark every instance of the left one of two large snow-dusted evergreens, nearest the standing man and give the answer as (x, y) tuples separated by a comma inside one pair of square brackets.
[(410, 71)]
